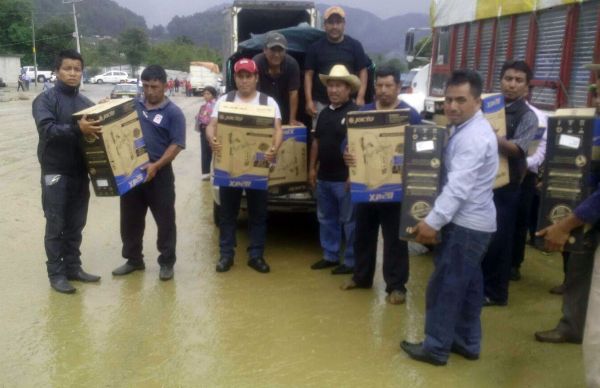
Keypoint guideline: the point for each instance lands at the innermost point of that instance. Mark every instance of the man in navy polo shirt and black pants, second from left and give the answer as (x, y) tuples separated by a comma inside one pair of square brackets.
[(163, 127)]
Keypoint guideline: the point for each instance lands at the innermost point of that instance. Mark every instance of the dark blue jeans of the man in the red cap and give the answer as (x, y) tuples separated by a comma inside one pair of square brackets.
[(257, 220)]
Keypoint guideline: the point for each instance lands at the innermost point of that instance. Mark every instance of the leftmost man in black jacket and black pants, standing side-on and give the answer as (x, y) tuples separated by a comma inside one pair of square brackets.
[(65, 184)]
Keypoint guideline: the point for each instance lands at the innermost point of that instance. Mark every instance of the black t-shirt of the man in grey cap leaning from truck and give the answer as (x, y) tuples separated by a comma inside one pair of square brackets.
[(279, 87)]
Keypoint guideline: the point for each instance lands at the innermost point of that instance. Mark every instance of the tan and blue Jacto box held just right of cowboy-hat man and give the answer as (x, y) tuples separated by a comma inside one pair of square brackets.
[(376, 139)]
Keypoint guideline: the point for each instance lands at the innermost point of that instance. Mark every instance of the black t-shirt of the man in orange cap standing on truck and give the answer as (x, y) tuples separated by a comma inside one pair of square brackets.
[(322, 55)]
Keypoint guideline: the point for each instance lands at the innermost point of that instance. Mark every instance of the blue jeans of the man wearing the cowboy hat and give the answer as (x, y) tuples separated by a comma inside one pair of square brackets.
[(335, 212)]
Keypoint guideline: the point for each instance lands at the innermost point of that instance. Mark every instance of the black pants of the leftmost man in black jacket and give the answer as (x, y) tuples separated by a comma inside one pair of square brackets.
[(65, 202)]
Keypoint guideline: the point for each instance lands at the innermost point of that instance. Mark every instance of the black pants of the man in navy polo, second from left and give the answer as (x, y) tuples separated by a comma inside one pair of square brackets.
[(159, 196)]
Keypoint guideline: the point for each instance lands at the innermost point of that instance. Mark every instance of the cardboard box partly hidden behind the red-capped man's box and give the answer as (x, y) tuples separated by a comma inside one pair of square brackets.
[(289, 173)]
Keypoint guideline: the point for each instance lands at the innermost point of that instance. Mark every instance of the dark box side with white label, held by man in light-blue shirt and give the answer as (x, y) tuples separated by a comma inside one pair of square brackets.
[(421, 173)]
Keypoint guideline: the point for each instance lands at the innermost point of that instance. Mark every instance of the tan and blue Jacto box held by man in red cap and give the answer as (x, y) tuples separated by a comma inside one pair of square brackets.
[(246, 133)]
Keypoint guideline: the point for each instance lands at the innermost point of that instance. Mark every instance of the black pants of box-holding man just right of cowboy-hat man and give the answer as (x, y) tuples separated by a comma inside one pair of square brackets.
[(395, 251)]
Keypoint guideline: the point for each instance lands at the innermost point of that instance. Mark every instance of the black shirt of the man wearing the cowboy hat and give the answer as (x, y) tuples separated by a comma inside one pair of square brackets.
[(331, 131)]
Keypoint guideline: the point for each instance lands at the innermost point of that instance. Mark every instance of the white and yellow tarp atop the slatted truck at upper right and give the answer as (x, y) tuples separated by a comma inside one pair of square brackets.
[(449, 12)]
